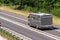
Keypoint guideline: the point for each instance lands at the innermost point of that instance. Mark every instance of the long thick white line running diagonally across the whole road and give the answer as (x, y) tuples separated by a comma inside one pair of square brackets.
[(32, 29)]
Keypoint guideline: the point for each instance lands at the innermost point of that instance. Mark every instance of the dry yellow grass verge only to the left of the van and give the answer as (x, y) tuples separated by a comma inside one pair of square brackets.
[(9, 9)]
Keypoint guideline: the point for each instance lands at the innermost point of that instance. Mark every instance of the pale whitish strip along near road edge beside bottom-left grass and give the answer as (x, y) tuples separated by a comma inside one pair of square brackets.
[(16, 34)]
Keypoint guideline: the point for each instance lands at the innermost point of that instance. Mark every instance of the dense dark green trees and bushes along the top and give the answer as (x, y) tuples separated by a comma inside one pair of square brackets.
[(50, 6)]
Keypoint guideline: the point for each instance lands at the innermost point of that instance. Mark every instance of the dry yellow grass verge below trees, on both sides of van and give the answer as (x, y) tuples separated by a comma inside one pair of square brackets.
[(56, 20)]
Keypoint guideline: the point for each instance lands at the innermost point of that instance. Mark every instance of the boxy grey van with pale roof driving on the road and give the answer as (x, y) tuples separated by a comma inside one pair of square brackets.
[(40, 20)]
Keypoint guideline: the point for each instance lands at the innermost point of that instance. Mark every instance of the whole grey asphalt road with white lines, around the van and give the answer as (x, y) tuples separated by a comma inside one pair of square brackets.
[(11, 21)]
